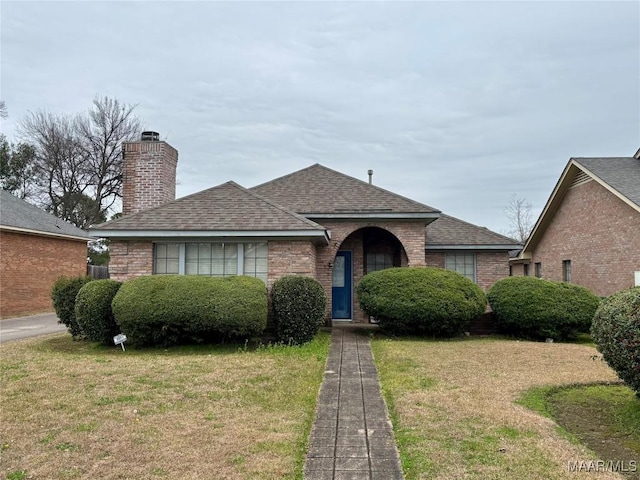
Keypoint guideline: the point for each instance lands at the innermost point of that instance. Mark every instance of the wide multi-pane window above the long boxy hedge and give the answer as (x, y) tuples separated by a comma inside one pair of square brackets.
[(212, 259)]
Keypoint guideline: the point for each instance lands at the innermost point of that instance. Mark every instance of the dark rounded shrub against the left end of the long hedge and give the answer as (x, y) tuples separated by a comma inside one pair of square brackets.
[(93, 311)]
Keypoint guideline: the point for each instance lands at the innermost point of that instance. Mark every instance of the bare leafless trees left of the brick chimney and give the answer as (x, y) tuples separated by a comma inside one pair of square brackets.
[(78, 160)]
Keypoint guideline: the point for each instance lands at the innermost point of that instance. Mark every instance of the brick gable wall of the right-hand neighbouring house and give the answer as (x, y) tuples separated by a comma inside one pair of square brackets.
[(599, 233)]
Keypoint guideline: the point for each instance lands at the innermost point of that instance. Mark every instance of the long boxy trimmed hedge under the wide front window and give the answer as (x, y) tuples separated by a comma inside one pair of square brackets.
[(171, 309)]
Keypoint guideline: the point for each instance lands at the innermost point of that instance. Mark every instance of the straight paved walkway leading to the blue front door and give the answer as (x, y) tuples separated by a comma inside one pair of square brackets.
[(352, 438)]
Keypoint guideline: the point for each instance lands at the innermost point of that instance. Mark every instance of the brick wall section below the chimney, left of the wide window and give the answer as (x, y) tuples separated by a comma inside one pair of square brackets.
[(130, 259)]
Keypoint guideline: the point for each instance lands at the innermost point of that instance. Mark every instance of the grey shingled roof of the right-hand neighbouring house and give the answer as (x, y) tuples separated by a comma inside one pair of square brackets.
[(621, 174)]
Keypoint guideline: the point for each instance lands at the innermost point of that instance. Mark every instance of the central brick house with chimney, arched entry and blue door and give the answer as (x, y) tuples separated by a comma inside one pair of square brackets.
[(316, 222)]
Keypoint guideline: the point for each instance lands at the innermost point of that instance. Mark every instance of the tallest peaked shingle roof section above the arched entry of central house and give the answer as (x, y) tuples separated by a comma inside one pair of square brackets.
[(319, 192)]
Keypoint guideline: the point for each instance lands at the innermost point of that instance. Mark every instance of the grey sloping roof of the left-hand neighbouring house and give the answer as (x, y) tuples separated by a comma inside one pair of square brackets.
[(20, 216)]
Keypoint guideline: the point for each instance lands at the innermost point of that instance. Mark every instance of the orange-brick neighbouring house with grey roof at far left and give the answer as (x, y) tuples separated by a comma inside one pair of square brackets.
[(35, 248)]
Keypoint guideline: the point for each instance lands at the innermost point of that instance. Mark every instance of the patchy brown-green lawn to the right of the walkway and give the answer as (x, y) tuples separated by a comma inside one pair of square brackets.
[(453, 406)]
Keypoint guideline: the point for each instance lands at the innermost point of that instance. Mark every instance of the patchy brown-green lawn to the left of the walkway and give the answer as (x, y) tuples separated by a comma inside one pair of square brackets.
[(77, 410)]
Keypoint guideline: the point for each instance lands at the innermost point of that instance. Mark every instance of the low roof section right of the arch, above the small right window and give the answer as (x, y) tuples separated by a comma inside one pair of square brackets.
[(448, 232)]
